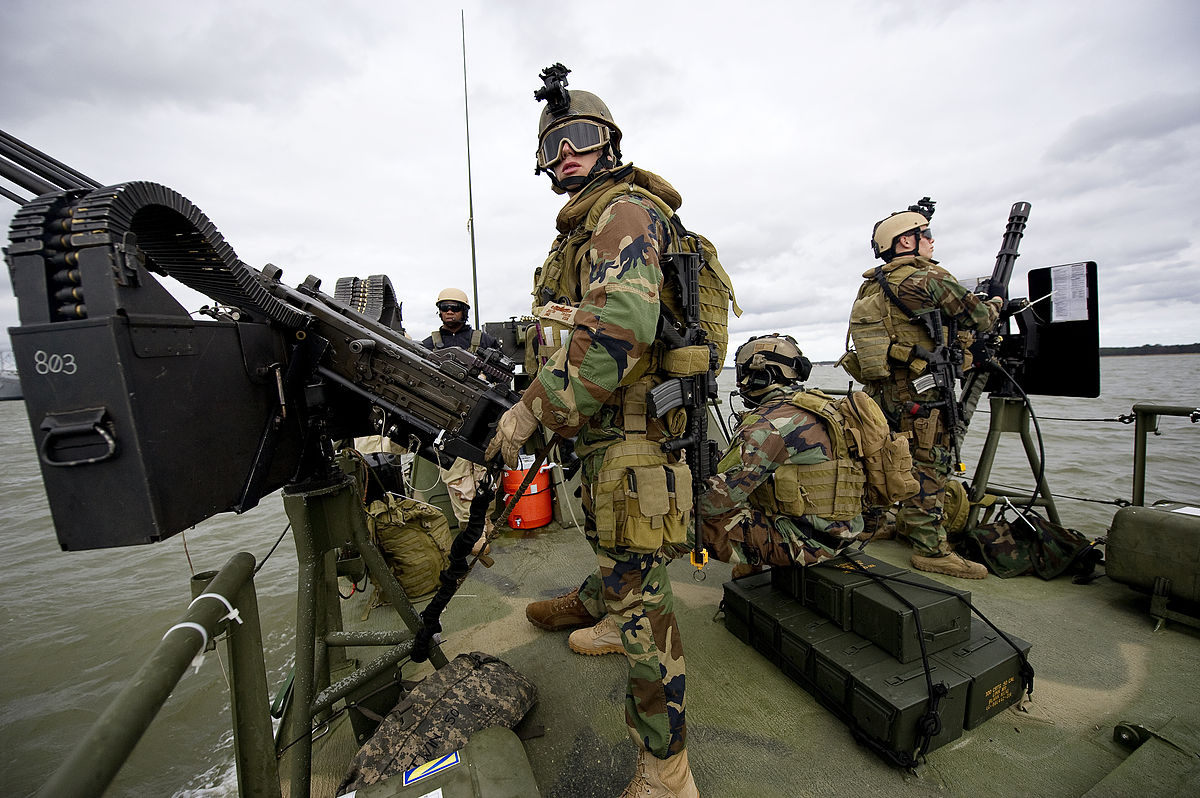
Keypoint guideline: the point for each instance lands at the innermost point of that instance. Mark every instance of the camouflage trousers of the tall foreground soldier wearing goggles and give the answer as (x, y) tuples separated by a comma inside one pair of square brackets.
[(635, 590)]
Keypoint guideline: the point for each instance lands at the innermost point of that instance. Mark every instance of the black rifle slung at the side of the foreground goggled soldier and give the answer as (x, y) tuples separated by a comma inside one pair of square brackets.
[(691, 393)]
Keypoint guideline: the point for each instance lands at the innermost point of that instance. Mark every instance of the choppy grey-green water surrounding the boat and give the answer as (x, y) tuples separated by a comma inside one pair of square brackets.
[(75, 627)]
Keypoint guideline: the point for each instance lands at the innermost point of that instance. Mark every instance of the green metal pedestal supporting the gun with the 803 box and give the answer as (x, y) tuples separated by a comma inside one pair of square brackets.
[(326, 518)]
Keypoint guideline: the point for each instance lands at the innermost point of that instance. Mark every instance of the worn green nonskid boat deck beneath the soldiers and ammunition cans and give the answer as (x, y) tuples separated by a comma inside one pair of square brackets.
[(754, 733)]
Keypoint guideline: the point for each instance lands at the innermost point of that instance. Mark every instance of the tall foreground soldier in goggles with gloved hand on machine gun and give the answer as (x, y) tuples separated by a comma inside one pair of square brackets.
[(599, 298)]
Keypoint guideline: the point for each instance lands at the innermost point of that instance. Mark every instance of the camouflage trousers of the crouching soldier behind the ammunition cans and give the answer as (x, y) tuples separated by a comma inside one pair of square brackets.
[(749, 536)]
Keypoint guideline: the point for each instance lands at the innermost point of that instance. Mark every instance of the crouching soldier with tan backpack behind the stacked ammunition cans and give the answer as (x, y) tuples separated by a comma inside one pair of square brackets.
[(777, 499)]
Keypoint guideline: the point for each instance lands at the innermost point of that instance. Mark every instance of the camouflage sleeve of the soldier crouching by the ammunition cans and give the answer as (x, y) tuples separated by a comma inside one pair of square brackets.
[(785, 435)]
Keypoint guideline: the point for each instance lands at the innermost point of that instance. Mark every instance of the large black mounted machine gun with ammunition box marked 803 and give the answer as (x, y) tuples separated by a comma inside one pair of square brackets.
[(148, 421)]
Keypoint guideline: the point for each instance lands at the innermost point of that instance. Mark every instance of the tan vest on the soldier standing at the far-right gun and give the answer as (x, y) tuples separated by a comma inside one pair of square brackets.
[(881, 333)]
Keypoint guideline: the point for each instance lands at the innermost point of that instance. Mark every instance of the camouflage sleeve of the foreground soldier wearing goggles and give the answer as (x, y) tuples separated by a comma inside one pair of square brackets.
[(615, 325)]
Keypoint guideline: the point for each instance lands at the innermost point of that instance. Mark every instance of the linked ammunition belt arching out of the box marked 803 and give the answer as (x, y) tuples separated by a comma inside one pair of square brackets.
[(175, 236)]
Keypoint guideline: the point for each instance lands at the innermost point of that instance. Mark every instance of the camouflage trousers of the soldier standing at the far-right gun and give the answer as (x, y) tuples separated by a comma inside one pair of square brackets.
[(921, 517)]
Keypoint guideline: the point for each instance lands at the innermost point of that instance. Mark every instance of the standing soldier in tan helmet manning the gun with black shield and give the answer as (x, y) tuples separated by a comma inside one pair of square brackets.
[(892, 322)]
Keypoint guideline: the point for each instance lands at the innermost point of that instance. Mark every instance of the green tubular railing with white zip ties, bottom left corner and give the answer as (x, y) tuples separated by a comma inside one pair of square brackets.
[(225, 603)]
